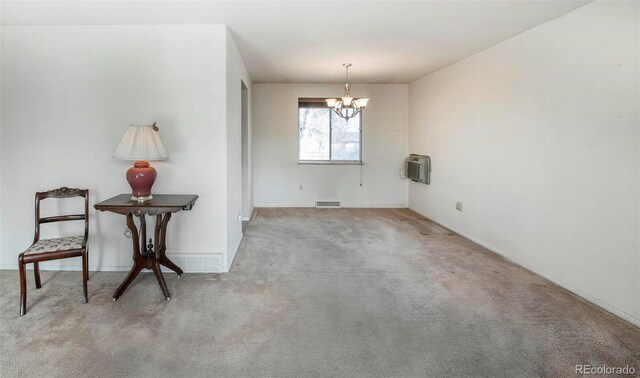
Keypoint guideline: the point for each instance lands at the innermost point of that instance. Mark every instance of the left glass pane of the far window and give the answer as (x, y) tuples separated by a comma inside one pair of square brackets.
[(314, 133)]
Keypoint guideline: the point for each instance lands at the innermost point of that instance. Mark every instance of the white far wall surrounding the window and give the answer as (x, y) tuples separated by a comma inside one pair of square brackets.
[(277, 174)]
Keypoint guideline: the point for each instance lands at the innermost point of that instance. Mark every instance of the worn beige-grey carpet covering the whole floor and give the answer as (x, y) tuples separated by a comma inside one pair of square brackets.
[(344, 292)]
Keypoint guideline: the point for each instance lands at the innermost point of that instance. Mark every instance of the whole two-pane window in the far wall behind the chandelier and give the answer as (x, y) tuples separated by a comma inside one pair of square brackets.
[(324, 137)]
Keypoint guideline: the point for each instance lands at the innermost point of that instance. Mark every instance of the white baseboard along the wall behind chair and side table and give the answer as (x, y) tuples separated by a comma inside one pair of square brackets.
[(188, 262)]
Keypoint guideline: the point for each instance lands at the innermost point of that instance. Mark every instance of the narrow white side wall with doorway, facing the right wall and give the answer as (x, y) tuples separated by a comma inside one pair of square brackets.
[(236, 74)]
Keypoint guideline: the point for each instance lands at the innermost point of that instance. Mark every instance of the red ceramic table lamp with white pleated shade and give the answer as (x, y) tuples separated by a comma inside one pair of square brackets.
[(141, 143)]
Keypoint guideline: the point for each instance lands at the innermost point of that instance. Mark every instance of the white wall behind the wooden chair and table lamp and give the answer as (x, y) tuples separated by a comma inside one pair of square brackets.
[(69, 93)]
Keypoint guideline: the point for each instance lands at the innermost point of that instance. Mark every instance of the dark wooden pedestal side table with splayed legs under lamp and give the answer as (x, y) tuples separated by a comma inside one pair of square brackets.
[(148, 256)]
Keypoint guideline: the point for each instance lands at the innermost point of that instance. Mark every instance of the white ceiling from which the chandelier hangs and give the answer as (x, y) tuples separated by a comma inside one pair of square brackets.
[(307, 41)]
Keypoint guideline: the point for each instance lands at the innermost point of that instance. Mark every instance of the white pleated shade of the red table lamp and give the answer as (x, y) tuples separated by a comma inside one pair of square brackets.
[(141, 142)]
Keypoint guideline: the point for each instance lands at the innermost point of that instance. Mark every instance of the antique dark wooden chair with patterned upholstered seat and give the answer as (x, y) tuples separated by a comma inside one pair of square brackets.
[(58, 248)]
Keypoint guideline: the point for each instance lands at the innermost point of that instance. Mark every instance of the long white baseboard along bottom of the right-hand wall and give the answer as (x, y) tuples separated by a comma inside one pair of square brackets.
[(612, 309)]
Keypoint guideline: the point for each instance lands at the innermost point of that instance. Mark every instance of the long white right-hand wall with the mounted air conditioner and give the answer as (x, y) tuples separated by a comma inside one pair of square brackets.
[(538, 136)]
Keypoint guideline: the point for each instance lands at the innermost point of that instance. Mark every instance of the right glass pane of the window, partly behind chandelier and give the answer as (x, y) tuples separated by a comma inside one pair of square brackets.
[(345, 140)]
